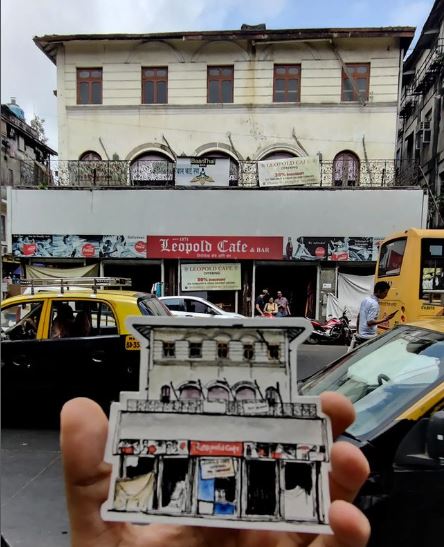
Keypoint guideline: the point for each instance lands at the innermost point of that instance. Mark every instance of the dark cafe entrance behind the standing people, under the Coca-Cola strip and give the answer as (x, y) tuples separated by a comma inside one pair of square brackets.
[(296, 281)]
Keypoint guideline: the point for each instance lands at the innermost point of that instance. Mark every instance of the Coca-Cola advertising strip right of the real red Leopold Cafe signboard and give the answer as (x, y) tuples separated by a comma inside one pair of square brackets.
[(332, 248)]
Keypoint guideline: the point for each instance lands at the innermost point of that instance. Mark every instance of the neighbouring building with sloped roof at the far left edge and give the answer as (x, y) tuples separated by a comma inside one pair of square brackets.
[(25, 162)]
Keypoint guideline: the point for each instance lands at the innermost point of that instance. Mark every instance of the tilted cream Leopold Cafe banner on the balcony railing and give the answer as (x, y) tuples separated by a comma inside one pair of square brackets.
[(289, 172)]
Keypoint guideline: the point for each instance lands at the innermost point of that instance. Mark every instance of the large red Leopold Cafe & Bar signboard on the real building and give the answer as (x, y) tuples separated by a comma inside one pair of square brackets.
[(215, 247)]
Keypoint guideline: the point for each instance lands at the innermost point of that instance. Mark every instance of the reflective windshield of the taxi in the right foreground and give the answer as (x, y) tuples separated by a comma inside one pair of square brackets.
[(385, 376)]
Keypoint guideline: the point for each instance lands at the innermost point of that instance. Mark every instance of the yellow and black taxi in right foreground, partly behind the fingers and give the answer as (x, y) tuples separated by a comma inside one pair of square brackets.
[(396, 384)]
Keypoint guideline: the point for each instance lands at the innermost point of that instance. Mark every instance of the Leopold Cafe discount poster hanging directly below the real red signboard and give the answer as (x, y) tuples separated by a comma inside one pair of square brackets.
[(210, 277)]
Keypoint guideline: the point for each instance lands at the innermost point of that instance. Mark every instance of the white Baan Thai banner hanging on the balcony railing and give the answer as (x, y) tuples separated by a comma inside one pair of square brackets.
[(202, 172)]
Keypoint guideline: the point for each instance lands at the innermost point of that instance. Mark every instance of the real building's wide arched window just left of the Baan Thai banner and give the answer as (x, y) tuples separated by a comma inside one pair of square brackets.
[(152, 169)]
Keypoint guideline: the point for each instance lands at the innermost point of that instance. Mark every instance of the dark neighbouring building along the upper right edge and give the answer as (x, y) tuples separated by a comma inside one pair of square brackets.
[(421, 125)]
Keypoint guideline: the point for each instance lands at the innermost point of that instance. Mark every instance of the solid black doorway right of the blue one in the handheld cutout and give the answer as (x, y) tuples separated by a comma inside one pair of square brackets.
[(261, 488)]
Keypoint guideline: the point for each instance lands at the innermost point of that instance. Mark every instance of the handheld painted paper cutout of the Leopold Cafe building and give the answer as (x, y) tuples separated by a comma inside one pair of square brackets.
[(217, 435)]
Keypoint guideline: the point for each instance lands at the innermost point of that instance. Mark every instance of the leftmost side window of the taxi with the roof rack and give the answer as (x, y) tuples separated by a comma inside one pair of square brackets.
[(20, 322)]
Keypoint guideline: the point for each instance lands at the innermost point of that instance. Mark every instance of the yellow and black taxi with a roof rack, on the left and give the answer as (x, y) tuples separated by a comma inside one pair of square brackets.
[(60, 342)]
